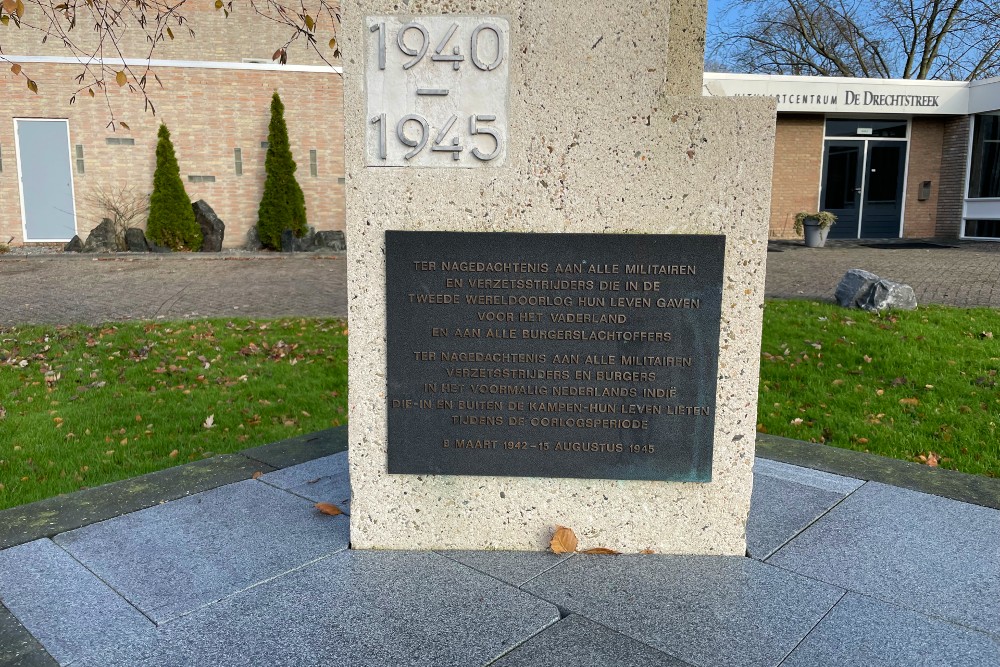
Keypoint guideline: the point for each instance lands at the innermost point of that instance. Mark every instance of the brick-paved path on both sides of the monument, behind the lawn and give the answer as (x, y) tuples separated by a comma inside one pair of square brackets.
[(65, 289)]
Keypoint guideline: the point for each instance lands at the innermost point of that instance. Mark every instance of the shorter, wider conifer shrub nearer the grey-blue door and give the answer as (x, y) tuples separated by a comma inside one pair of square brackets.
[(171, 221)]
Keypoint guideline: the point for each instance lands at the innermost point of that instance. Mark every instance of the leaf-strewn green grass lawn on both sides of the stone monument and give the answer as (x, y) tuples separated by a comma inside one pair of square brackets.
[(83, 406)]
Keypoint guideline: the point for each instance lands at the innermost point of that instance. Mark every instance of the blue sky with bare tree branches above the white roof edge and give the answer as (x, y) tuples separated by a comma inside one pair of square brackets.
[(919, 39)]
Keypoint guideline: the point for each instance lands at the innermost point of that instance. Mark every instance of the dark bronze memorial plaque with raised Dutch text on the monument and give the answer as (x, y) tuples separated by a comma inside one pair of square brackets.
[(553, 355)]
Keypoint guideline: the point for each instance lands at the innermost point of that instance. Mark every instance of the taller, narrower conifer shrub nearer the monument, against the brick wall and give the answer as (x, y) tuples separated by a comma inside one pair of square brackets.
[(282, 206)]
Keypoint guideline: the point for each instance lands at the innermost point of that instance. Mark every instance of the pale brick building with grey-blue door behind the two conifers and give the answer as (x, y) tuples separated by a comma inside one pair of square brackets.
[(57, 157)]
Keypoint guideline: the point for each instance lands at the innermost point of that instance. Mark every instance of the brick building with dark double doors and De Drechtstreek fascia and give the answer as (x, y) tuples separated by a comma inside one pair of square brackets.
[(891, 158)]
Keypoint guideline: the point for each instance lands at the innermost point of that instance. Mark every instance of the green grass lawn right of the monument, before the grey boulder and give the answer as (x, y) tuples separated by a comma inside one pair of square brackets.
[(918, 386)]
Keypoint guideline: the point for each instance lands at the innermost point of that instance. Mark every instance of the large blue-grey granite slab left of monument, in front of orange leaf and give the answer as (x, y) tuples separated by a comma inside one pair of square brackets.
[(171, 559)]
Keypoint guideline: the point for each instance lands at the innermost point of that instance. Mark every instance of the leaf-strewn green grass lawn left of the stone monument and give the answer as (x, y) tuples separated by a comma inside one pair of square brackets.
[(82, 406)]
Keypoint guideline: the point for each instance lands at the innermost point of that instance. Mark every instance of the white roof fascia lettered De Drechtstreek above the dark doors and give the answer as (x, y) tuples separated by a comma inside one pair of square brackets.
[(837, 94)]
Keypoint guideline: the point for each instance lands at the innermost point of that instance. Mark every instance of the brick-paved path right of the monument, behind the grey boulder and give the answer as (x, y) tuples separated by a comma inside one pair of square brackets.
[(967, 274)]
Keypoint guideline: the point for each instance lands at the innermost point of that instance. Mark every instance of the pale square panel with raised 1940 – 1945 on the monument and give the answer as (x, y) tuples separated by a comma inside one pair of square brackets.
[(436, 91)]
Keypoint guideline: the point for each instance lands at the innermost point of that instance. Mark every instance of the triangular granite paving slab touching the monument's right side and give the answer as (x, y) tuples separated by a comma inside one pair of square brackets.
[(786, 499)]
